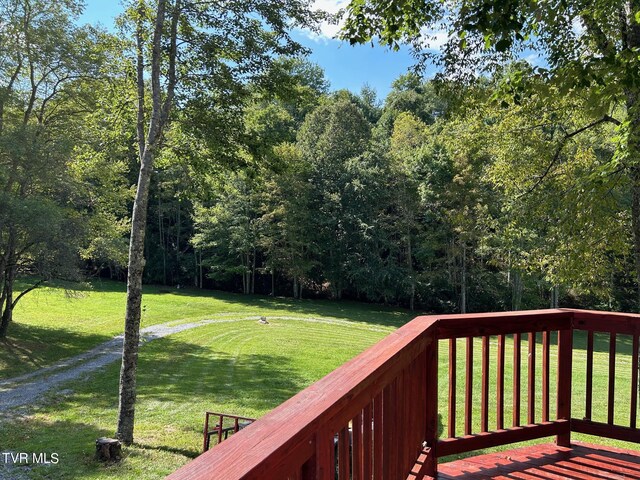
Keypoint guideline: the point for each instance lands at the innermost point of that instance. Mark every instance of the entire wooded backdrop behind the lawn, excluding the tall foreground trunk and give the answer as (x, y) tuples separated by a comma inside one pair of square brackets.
[(443, 196)]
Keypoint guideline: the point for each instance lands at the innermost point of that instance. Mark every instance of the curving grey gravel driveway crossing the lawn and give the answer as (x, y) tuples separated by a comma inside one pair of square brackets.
[(29, 388)]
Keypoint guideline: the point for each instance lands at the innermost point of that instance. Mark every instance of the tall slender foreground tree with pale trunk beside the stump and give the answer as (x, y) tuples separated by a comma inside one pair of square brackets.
[(201, 57)]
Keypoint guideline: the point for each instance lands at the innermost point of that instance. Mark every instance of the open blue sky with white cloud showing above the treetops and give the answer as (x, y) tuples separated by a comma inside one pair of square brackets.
[(345, 66)]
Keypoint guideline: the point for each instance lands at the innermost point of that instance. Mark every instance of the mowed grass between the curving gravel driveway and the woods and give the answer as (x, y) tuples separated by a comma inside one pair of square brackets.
[(56, 322)]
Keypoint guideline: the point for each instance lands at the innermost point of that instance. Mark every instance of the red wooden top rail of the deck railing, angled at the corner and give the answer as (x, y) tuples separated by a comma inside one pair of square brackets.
[(286, 436)]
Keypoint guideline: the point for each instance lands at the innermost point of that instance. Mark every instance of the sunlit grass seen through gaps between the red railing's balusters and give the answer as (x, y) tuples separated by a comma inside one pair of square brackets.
[(599, 413)]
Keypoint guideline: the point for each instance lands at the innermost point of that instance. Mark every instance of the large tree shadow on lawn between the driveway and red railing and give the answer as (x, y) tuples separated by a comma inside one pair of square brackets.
[(177, 383)]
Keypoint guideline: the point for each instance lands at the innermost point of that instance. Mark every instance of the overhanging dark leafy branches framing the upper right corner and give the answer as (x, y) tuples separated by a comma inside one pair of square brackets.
[(588, 48)]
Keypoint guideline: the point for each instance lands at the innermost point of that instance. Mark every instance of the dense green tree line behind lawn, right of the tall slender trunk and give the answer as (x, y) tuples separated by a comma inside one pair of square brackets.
[(428, 200)]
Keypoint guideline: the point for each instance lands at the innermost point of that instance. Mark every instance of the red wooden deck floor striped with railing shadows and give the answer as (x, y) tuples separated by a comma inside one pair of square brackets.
[(547, 461)]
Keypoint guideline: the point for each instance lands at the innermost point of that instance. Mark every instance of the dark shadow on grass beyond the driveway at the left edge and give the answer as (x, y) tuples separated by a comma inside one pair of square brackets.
[(29, 346)]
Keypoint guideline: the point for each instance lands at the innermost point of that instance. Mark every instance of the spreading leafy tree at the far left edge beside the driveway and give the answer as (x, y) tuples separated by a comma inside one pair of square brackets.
[(46, 67)]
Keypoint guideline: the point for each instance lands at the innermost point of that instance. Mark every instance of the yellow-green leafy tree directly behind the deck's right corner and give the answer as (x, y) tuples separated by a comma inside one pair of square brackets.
[(572, 228)]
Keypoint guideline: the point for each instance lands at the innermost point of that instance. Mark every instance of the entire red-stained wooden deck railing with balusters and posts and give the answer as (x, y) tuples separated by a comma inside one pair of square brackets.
[(377, 416)]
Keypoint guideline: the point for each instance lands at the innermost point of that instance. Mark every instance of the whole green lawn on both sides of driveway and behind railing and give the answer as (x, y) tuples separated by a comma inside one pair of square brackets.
[(238, 367)]
